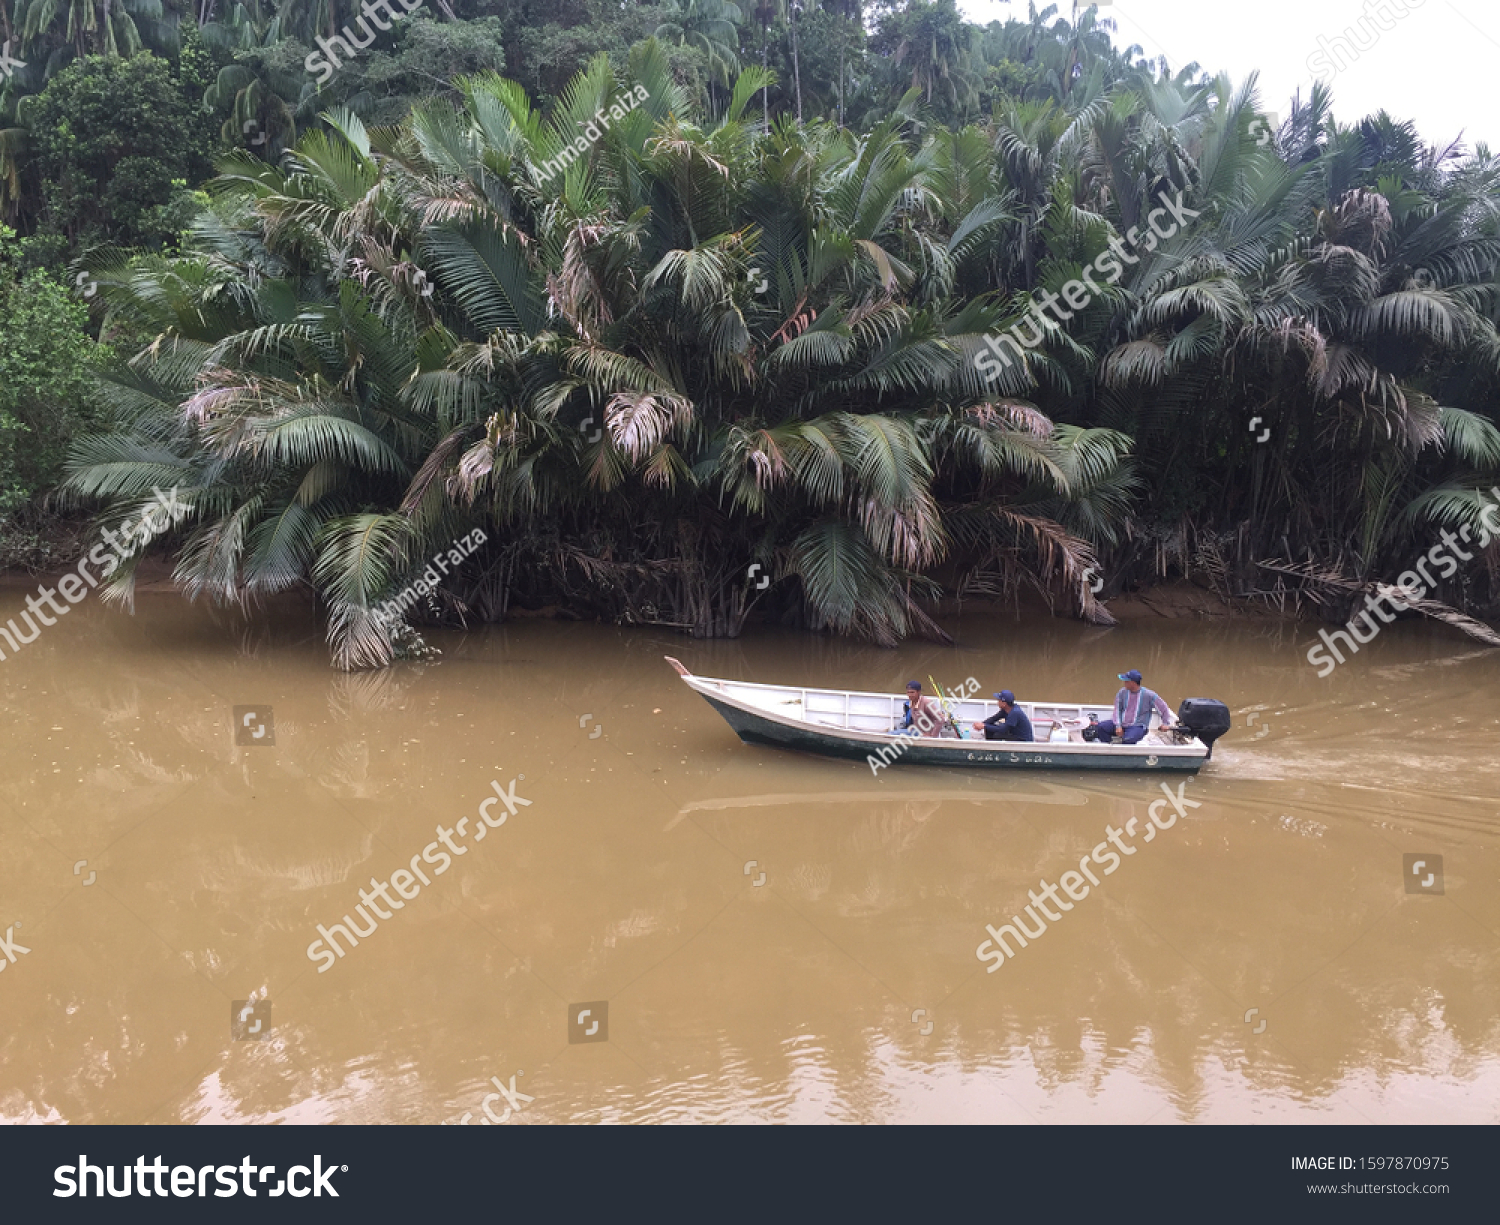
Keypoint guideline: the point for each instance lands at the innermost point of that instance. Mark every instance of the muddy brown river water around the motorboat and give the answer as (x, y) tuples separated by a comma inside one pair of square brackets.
[(662, 924)]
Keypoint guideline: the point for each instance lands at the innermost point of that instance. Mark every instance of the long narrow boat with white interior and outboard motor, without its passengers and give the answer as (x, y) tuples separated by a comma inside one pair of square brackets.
[(847, 723)]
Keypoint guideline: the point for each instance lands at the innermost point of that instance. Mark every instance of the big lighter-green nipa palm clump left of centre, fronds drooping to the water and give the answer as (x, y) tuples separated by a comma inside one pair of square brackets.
[(694, 349)]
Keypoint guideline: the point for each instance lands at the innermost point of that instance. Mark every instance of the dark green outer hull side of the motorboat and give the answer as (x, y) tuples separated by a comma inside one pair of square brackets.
[(755, 728)]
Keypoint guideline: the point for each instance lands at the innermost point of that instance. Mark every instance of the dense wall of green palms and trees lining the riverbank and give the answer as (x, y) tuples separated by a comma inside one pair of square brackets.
[(752, 320)]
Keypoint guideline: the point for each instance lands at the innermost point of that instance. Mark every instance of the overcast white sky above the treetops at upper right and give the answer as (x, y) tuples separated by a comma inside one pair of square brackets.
[(1436, 65)]
